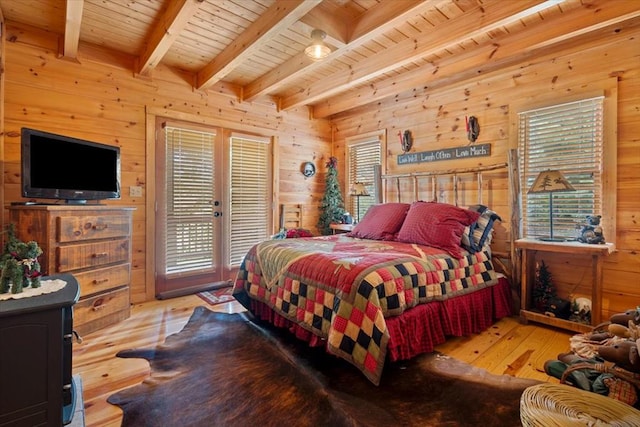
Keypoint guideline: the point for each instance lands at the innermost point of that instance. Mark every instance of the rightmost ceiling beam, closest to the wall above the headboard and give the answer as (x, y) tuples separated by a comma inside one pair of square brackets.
[(493, 55)]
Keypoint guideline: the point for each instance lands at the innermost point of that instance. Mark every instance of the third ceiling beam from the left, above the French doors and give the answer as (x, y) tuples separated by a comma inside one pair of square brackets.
[(280, 16)]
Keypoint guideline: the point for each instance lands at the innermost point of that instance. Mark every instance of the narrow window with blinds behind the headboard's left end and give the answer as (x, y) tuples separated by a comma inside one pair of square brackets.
[(362, 155)]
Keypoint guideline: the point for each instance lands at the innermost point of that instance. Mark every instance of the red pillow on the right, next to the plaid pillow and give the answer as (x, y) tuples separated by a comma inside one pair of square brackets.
[(436, 224)]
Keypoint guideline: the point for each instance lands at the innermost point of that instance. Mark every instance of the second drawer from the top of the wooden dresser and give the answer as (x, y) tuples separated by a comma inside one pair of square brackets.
[(74, 257)]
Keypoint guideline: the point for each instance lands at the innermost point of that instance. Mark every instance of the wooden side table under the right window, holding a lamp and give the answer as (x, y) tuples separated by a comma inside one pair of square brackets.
[(530, 247)]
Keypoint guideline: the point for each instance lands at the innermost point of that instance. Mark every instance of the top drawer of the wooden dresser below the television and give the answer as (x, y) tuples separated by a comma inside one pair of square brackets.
[(78, 228)]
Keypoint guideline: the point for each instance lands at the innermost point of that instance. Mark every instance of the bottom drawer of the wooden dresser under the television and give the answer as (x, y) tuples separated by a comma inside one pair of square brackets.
[(95, 312)]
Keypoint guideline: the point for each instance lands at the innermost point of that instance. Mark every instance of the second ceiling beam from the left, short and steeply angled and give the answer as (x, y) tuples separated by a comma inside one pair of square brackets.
[(164, 34)]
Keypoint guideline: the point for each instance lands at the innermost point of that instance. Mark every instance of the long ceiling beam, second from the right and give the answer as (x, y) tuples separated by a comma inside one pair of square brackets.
[(487, 17)]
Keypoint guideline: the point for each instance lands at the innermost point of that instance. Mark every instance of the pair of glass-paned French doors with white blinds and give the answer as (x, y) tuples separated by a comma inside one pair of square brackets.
[(213, 204)]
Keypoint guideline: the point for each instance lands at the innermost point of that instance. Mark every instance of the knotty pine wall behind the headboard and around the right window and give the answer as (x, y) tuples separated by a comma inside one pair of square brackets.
[(436, 118)]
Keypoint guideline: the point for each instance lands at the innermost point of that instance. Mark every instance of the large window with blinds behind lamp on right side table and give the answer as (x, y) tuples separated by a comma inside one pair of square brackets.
[(566, 137)]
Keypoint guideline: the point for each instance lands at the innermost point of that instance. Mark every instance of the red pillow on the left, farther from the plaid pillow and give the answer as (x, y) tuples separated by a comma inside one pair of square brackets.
[(381, 222)]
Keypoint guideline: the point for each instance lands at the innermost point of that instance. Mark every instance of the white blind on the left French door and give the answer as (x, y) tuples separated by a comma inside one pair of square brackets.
[(190, 191)]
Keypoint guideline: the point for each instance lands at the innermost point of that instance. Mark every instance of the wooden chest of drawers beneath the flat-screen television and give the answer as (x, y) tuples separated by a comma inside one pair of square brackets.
[(92, 242)]
